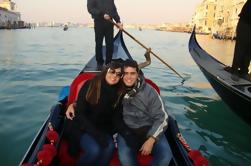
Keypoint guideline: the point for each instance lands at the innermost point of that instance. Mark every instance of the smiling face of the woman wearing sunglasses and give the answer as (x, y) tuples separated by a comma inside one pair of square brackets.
[(113, 76)]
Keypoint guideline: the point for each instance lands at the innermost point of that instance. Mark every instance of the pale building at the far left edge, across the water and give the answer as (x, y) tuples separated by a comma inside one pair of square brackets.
[(9, 17)]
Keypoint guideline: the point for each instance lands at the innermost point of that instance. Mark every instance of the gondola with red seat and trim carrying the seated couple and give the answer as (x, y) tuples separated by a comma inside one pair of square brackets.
[(50, 148)]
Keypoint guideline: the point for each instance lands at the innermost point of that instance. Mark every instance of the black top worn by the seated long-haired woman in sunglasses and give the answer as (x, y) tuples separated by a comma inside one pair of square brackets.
[(95, 120)]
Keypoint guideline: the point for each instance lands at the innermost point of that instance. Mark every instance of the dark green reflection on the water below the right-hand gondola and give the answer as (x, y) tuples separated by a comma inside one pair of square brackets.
[(218, 129)]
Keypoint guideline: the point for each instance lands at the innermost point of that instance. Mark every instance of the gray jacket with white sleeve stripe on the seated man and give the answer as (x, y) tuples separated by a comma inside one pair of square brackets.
[(145, 109)]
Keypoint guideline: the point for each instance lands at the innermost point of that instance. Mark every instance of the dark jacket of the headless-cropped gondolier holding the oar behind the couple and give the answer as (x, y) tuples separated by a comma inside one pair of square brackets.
[(97, 8)]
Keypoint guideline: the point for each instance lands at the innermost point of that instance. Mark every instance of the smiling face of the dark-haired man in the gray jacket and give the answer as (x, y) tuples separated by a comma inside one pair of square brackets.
[(130, 76)]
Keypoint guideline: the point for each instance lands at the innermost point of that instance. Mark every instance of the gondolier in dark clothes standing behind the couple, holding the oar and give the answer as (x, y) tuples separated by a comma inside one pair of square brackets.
[(103, 11)]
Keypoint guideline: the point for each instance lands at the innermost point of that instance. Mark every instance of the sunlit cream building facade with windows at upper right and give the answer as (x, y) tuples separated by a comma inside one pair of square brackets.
[(218, 17)]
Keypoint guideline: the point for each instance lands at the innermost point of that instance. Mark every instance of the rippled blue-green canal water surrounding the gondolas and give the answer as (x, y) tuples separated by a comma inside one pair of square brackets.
[(36, 63)]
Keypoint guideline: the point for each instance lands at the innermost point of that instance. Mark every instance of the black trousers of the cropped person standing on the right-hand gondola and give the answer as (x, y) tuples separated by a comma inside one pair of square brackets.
[(242, 52)]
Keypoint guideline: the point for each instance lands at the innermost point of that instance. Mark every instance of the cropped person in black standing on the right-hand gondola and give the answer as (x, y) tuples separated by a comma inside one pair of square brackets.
[(242, 52)]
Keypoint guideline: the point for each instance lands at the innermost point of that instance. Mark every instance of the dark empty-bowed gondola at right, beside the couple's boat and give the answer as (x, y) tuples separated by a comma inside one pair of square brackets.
[(236, 94)]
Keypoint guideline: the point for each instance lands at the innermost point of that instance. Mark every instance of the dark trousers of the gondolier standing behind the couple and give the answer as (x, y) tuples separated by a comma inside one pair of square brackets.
[(103, 29)]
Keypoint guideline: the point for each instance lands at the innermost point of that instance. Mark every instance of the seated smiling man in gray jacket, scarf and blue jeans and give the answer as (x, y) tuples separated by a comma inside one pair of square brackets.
[(142, 121)]
